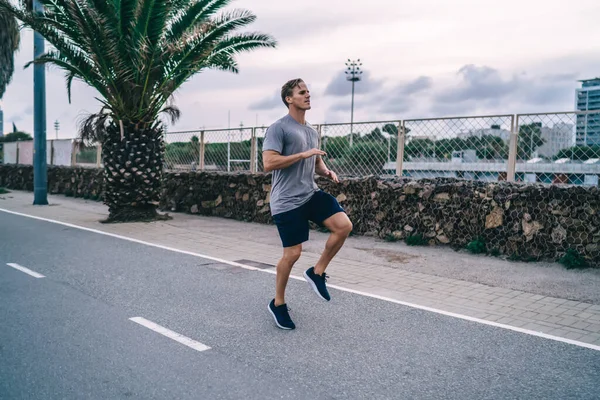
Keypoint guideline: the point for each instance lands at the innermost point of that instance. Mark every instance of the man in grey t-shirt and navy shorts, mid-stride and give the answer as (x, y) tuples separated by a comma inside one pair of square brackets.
[(290, 150)]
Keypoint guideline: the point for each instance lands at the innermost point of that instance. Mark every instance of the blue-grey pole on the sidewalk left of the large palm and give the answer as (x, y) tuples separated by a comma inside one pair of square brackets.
[(40, 172)]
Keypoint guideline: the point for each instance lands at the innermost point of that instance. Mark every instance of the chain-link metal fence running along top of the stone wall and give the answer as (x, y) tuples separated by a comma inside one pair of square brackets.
[(554, 148)]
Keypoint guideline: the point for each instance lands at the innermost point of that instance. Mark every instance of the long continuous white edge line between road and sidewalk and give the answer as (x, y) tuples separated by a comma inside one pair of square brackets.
[(273, 272)]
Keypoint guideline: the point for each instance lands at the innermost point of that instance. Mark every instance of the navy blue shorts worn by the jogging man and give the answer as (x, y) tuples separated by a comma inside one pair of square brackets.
[(293, 225)]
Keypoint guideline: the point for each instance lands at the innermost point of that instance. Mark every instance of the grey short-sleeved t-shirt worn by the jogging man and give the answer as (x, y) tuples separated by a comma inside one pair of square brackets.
[(292, 186)]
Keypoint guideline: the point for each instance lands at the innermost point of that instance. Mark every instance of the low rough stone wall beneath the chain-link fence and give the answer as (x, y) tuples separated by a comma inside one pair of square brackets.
[(524, 221)]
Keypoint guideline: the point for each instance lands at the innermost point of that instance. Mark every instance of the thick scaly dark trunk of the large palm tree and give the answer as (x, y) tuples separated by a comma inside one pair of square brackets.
[(133, 172)]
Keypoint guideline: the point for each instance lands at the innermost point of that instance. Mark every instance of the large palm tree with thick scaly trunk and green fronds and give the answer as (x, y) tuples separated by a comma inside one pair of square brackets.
[(136, 54)]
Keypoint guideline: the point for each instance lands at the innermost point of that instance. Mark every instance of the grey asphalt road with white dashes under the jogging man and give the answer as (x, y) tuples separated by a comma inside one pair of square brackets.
[(68, 335)]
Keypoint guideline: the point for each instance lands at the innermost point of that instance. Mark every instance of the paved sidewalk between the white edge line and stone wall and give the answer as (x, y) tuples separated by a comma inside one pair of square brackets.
[(540, 297)]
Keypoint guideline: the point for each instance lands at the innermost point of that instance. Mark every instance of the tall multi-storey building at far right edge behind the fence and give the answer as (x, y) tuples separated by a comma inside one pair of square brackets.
[(588, 126)]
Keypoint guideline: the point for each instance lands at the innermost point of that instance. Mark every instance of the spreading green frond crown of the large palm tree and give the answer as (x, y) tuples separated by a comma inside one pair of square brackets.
[(137, 53)]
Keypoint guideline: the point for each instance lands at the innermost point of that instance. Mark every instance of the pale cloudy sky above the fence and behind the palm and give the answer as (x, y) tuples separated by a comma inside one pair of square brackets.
[(421, 58)]
